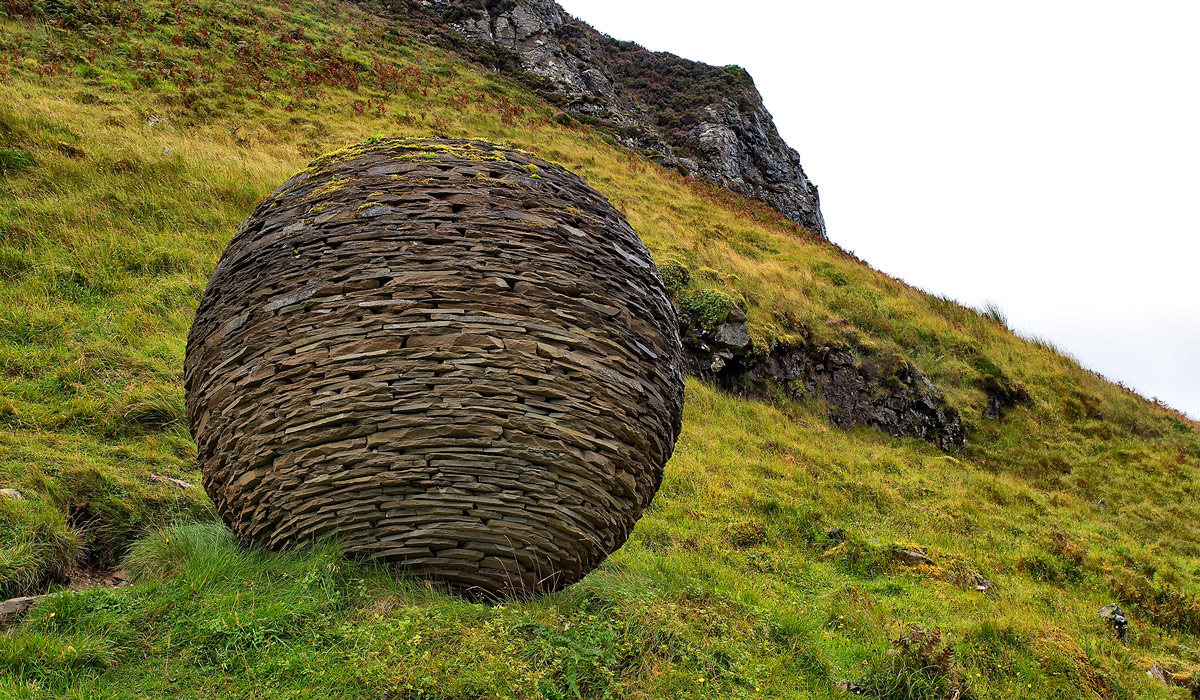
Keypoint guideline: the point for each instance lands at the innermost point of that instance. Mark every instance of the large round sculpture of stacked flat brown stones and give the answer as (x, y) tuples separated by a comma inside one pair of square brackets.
[(446, 355)]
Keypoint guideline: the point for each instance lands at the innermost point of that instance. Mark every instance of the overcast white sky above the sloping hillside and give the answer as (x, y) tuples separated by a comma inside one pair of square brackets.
[(1045, 155)]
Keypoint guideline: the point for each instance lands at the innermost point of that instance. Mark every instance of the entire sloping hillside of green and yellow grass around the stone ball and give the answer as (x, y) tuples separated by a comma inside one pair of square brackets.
[(134, 140)]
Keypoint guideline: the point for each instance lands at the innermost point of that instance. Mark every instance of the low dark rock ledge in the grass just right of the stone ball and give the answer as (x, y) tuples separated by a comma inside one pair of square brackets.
[(867, 390)]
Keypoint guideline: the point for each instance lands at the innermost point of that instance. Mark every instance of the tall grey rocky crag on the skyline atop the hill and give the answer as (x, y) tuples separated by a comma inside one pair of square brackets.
[(704, 121)]
